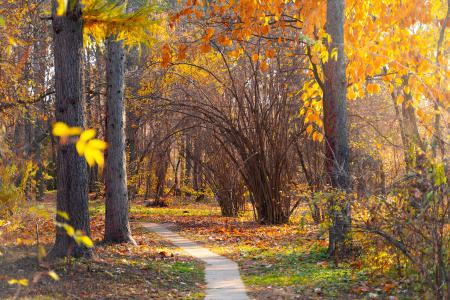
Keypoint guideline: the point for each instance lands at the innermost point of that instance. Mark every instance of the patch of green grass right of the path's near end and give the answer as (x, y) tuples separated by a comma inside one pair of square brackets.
[(297, 267)]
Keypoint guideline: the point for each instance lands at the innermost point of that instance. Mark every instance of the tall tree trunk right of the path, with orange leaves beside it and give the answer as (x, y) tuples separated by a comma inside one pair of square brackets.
[(335, 126)]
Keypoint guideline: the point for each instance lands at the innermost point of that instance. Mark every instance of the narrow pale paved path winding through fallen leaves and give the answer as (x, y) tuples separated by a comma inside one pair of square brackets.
[(223, 280)]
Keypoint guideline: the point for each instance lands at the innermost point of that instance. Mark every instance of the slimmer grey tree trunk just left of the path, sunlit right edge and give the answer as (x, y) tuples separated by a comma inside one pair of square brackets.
[(117, 227)]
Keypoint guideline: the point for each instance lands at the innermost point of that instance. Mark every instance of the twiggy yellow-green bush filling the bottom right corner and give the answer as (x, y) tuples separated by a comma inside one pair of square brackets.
[(414, 219)]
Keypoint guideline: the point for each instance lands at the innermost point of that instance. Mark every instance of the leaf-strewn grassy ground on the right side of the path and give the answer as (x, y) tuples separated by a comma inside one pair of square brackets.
[(279, 262)]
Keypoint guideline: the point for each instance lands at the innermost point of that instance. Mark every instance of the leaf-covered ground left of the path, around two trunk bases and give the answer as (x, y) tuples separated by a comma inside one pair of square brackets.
[(153, 269)]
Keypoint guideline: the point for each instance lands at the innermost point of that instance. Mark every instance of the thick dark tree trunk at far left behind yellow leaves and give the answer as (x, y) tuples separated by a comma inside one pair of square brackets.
[(72, 194)]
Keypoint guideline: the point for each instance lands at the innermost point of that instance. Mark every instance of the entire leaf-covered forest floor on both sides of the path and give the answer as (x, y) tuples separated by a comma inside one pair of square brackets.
[(276, 262)]
